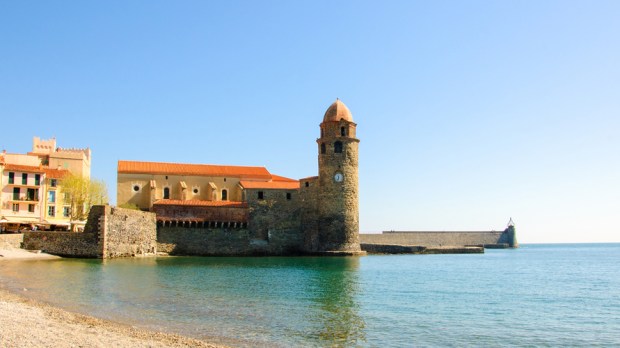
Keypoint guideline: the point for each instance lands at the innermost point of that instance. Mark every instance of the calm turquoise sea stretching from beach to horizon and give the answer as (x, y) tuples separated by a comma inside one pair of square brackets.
[(537, 295)]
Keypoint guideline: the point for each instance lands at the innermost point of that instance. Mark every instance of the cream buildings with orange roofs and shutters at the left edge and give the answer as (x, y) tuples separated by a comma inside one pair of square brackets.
[(31, 195)]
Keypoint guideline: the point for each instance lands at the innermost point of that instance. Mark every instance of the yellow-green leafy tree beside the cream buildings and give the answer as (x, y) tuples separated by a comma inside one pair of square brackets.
[(82, 194)]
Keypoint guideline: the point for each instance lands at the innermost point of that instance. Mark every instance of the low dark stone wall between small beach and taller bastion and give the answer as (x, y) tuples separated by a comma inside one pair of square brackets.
[(69, 244)]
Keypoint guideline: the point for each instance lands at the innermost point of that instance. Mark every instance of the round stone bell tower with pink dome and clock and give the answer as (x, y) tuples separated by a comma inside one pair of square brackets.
[(338, 198)]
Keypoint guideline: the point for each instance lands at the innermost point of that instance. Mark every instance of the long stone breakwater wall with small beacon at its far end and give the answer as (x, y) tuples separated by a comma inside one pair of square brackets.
[(433, 239)]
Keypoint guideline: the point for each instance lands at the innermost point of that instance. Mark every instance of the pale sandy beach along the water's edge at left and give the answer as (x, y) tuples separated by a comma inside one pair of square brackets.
[(28, 323)]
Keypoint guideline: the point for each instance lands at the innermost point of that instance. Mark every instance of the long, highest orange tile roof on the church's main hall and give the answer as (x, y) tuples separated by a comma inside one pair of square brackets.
[(135, 167)]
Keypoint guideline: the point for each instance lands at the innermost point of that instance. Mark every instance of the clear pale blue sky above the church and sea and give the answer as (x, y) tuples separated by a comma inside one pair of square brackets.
[(469, 112)]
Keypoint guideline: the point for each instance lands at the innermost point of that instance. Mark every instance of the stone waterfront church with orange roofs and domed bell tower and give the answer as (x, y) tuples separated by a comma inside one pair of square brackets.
[(205, 209)]
